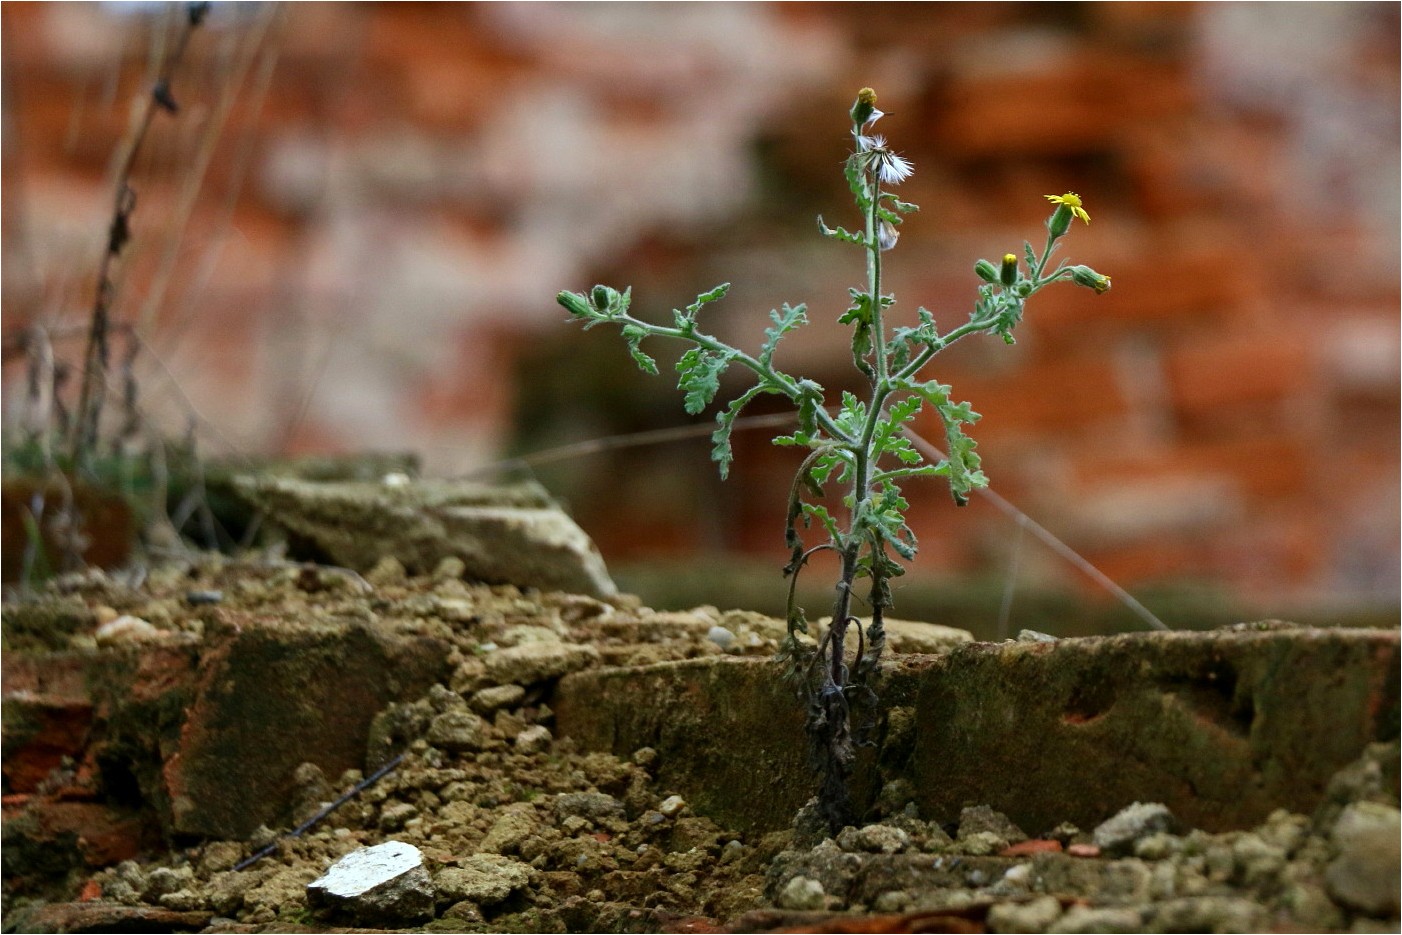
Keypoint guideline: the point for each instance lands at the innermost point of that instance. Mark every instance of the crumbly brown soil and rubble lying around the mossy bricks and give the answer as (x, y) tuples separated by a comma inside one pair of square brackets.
[(522, 832)]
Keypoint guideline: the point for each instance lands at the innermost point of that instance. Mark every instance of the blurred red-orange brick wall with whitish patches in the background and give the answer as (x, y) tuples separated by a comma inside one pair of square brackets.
[(353, 233)]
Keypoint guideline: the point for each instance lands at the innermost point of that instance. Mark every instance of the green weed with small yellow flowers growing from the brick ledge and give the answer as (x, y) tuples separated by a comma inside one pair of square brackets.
[(860, 445)]
